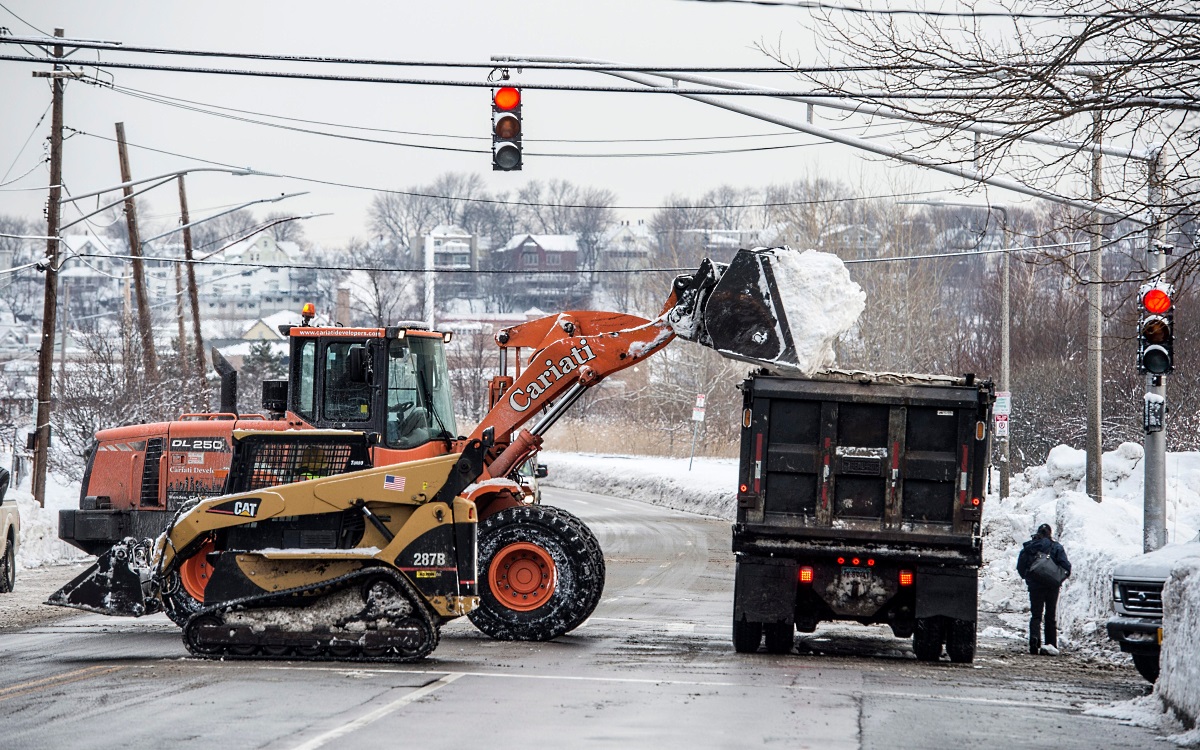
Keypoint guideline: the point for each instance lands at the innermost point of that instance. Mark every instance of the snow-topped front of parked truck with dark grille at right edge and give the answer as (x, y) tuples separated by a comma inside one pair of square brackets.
[(1138, 603)]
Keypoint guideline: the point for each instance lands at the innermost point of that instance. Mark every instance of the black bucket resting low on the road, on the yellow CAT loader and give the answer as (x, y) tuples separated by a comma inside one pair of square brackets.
[(119, 584)]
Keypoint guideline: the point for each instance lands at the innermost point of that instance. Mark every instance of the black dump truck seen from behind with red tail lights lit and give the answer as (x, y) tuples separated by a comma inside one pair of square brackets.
[(860, 500)]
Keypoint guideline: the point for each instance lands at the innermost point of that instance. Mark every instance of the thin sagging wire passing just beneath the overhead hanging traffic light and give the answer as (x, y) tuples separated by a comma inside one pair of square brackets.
[(520, 203)]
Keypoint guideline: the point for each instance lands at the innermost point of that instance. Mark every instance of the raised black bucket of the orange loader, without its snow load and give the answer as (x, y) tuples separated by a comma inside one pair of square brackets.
[(737, 309)]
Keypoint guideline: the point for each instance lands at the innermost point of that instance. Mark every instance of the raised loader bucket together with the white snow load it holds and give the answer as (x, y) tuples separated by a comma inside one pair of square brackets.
[(773, 307)]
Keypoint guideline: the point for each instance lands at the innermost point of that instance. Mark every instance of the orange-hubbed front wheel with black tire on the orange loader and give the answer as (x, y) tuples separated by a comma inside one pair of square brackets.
[(538, 575)]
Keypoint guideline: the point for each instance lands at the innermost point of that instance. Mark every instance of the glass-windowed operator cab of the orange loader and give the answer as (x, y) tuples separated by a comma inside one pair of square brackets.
[(391, 382)]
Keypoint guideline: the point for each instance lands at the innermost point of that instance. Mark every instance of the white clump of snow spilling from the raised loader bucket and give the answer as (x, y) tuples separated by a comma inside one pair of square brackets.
[(820, 301)]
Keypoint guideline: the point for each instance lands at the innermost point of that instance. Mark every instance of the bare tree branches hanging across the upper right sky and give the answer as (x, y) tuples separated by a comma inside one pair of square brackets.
[(1047, 74)]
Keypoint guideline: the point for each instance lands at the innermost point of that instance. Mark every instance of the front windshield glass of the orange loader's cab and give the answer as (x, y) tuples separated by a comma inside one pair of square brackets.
[(419, 405)]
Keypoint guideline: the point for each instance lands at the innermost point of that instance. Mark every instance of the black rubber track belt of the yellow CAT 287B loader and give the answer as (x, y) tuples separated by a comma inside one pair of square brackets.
[(421, 615)]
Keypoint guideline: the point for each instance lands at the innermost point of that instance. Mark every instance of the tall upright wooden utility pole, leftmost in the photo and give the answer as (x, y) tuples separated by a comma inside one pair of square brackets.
[(51, 303)]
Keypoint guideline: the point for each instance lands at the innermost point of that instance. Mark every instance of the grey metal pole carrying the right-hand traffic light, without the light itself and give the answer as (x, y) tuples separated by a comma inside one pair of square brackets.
[(1155, 483)]
